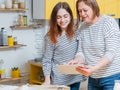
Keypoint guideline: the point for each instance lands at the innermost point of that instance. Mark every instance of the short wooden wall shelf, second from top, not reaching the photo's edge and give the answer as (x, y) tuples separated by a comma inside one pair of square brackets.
[(33, 26)]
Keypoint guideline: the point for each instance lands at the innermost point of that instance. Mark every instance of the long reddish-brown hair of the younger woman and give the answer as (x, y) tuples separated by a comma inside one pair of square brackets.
[(55, 30)]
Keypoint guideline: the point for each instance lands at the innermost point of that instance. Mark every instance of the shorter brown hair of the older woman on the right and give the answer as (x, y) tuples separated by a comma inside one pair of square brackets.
[(93, 4)]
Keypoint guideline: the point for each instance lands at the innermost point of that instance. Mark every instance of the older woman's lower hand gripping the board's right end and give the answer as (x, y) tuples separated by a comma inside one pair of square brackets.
[(86, 70)]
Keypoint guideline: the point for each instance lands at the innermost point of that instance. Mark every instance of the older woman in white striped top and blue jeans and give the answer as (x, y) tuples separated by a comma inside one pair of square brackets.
[(99, 46)]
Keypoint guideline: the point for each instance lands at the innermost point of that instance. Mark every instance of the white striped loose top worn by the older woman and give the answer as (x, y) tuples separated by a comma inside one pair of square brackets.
[(98, 40)]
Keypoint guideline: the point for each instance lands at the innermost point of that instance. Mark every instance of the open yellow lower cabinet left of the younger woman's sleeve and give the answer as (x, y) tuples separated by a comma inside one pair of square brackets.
[(36, 73)]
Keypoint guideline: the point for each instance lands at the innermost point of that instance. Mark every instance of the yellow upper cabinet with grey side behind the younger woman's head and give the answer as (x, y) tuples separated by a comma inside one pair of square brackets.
[(42, 8)]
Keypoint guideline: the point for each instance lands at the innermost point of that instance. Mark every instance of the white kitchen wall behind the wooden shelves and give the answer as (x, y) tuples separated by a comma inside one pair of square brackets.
[(33, 38)]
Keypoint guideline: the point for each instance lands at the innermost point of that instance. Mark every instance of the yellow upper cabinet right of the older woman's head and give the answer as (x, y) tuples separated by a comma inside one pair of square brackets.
[(110, 7)]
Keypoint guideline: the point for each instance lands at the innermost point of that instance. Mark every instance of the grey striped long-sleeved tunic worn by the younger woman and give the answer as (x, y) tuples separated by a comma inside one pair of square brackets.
[(63, 51)]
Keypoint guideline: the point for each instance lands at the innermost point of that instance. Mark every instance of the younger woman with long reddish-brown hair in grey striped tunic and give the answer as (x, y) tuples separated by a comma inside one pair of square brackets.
[(60, 47)]
